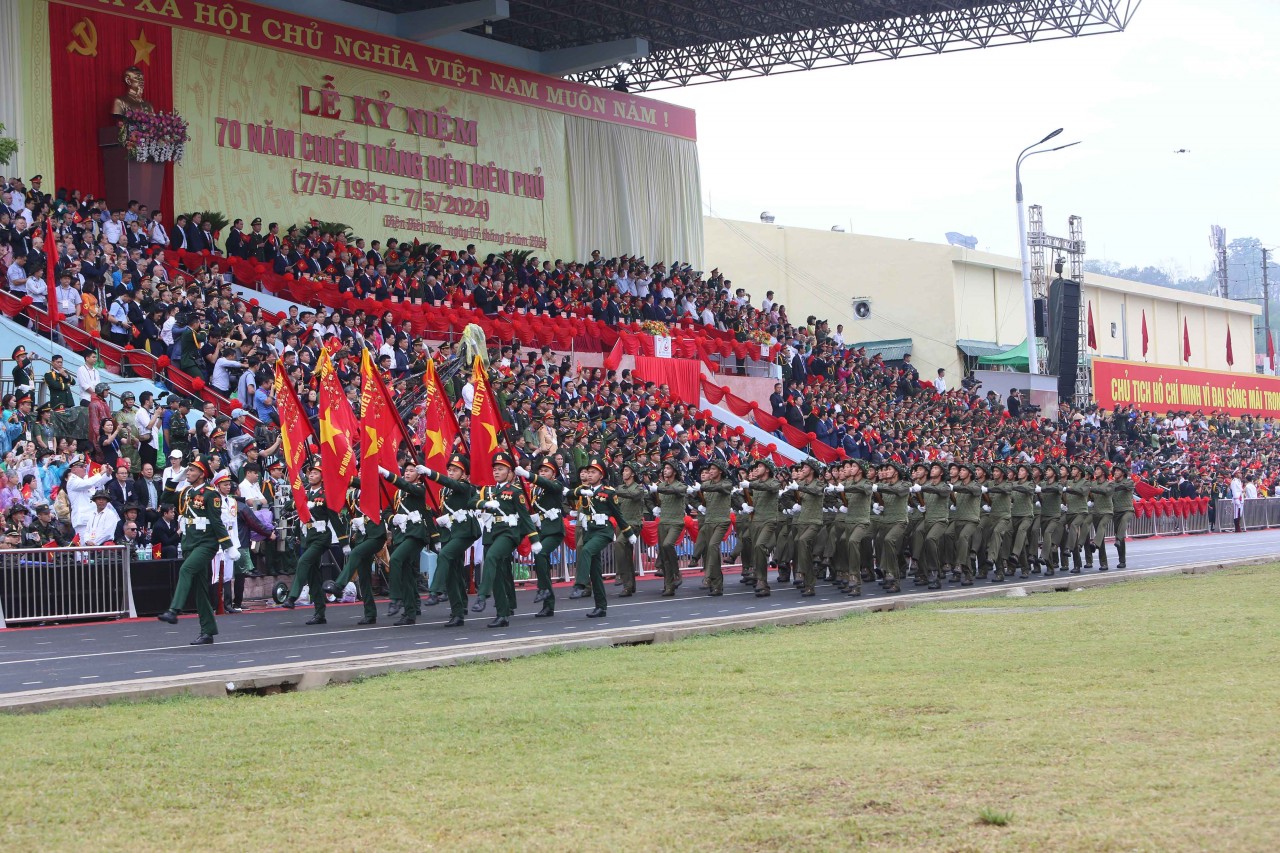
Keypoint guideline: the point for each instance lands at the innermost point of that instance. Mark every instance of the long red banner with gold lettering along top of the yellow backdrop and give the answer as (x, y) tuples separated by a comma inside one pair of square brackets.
[(326, 40)]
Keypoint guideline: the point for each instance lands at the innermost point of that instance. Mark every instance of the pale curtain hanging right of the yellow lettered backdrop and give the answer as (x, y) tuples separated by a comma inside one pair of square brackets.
[(634, 193)]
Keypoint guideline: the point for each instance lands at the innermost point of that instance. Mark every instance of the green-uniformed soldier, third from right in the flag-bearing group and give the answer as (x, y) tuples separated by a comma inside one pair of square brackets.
[(504, 514)]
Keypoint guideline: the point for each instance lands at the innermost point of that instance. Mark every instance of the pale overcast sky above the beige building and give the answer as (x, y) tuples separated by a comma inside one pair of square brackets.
[(921, 147)]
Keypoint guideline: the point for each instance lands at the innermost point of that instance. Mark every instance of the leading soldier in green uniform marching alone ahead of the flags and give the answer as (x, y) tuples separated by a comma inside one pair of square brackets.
[(200, 508)]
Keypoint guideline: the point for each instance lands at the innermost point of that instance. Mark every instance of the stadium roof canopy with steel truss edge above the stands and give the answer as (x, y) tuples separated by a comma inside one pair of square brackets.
[(642, 45)]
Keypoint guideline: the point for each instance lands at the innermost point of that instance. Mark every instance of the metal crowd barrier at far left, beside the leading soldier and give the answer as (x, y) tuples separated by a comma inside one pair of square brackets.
[(58, 585)]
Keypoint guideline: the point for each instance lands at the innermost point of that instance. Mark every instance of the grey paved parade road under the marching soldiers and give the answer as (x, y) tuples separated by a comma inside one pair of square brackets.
[(77, 656)]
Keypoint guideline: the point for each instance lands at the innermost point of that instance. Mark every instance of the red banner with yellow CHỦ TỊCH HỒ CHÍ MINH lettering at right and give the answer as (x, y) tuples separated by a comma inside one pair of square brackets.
[(1160, 389)]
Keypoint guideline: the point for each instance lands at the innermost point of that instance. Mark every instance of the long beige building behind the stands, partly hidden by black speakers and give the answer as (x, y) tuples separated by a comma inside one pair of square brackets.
[(941, 302)]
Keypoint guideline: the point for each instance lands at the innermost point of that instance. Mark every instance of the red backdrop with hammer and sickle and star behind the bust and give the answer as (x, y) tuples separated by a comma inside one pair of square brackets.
[(92, 52)]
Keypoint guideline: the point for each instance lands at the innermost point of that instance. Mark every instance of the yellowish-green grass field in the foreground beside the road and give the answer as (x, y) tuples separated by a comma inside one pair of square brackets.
[(1137, 718)]
